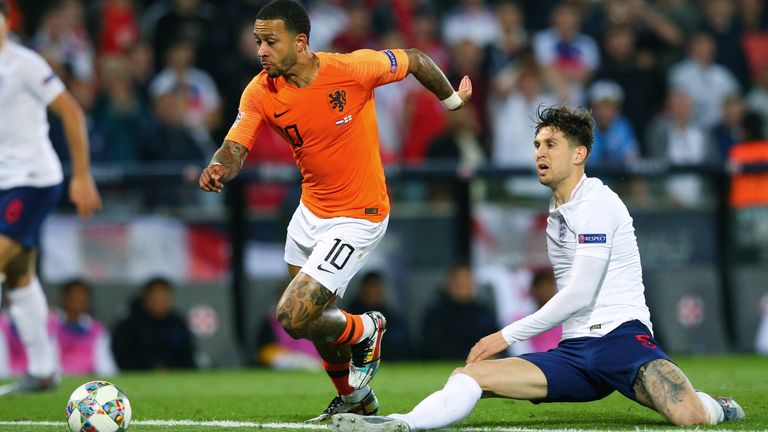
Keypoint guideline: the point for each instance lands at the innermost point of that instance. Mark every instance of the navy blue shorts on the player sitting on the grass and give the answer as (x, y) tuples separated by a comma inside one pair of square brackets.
[(590, 368)]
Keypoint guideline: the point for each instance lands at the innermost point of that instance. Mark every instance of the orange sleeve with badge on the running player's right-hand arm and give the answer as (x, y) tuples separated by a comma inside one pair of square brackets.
[(376, 68)]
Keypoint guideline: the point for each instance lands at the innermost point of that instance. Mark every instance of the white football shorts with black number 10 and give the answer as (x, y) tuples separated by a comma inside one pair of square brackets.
[(331, 250)]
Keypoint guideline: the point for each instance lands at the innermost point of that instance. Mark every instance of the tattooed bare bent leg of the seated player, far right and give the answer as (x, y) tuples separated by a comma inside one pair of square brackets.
[(662, 386)]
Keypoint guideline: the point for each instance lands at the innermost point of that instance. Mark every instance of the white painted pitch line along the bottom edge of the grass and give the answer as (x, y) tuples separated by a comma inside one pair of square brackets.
[(278, 425)]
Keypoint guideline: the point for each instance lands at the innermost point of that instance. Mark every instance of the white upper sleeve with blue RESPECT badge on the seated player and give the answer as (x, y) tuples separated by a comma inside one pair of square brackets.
[(594, 233)]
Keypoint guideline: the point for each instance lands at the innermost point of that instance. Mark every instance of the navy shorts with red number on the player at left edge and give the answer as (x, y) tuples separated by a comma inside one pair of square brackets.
[(23, 209)]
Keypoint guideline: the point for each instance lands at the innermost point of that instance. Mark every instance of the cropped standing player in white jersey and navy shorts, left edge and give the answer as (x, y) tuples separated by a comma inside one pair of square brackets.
[(30, 186)]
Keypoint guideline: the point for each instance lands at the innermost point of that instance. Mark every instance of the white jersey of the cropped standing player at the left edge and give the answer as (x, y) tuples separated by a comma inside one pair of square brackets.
[(27, 86)]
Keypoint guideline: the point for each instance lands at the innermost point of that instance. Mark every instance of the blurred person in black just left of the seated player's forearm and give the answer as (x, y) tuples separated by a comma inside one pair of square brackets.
[(456, 319)]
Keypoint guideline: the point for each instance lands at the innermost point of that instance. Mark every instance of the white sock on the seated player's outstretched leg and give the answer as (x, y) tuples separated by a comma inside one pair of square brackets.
[(452, 404)]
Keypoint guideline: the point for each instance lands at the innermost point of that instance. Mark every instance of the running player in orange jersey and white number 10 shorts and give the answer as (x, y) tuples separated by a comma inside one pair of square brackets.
[(323, 106)]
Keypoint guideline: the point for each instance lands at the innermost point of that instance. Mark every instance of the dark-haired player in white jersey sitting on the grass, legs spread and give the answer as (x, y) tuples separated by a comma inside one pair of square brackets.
[(607, 343)]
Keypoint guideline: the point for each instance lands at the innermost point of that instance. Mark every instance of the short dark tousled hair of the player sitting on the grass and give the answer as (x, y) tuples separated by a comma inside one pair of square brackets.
[(576, 124)]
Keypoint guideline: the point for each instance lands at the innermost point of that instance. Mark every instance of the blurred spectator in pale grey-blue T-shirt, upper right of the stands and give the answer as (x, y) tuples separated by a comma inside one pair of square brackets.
[(707, 83)]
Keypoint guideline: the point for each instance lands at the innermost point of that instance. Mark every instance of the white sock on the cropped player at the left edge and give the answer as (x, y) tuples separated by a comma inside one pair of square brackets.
[(29, 311)]
